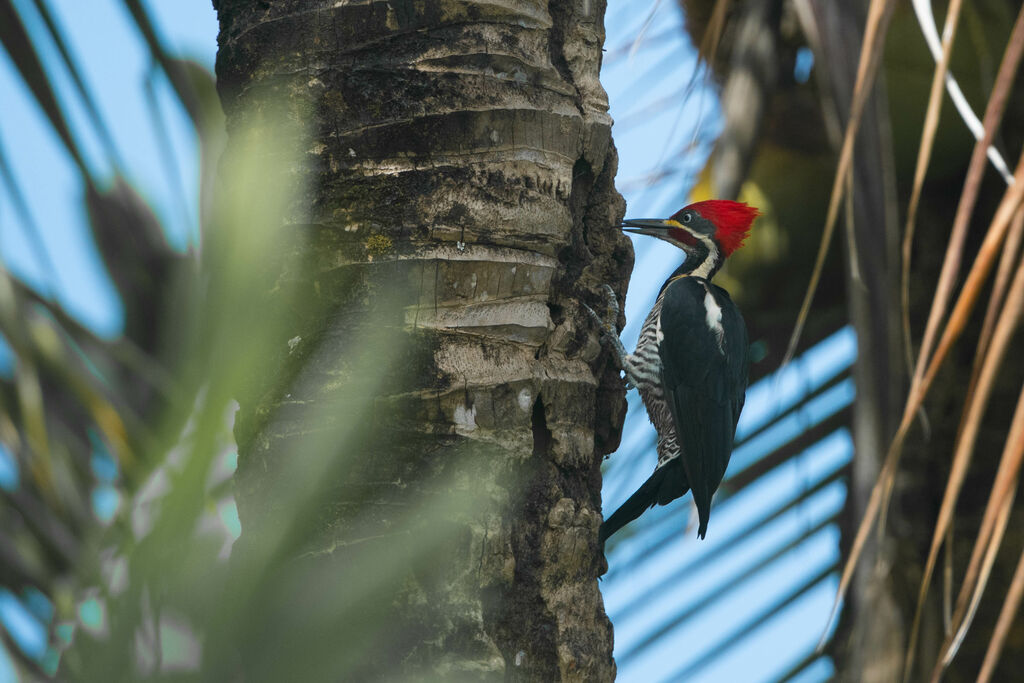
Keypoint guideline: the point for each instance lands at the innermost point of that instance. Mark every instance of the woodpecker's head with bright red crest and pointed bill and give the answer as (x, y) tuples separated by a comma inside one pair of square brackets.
[(708, 232)]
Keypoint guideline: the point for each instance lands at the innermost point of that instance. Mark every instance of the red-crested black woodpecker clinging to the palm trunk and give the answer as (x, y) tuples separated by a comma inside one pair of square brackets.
[(691, 363)]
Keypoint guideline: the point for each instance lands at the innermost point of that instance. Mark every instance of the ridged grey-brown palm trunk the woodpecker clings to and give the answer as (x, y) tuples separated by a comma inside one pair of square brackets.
[(460, 168)]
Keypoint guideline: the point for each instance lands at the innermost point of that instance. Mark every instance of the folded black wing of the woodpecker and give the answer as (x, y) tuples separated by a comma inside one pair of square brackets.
[(705, 375)]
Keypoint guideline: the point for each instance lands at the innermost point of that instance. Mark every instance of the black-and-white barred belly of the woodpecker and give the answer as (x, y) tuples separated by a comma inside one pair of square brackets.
[(644, 368)]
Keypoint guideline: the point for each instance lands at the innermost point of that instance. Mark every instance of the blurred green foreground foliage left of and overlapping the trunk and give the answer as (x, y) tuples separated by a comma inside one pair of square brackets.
[(122, 516)]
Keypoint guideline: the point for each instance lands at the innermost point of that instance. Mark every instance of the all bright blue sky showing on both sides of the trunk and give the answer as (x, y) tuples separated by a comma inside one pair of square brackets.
[(644, 76)]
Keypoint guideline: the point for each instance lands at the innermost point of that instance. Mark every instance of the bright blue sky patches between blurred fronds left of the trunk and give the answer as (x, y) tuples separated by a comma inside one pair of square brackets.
[(116, 67)]
